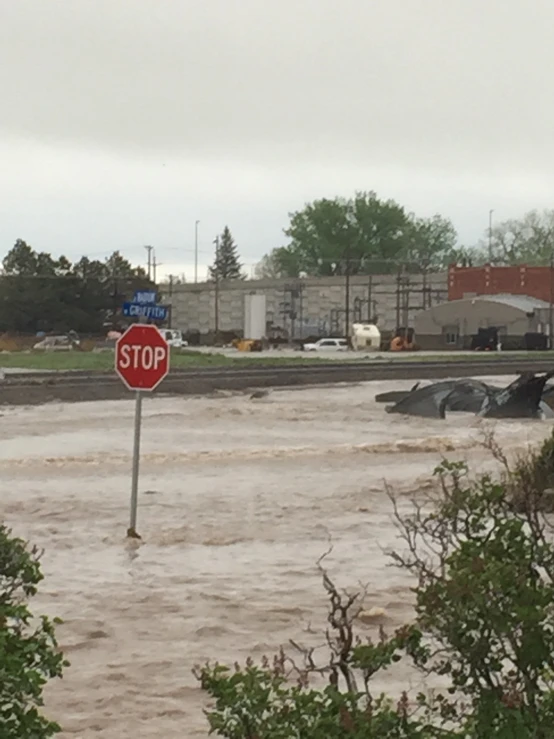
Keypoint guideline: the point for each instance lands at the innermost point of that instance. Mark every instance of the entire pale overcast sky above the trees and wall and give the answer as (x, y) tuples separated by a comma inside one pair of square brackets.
[(122, 122)]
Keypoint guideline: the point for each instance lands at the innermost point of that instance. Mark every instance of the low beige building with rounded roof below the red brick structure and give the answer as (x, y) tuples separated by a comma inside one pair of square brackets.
[(436, 326)]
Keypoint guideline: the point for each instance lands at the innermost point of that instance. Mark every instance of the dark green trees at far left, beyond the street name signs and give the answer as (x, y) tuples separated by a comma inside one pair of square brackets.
[(38, 292)]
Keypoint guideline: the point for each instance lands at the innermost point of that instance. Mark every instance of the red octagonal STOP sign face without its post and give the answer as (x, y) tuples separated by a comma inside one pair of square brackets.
[(142, 357)]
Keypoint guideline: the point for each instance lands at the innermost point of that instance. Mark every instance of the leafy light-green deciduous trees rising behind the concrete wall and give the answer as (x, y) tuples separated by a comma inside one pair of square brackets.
[(369, 235)]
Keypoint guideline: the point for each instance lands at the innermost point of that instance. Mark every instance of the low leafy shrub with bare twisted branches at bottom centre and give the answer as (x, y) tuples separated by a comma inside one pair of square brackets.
[(277, 700)]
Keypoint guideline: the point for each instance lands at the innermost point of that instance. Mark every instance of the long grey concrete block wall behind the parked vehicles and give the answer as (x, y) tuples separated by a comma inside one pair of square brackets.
[(315, 304)]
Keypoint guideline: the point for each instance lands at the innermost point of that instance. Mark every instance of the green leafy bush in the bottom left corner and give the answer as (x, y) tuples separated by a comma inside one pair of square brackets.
[(29, 654)]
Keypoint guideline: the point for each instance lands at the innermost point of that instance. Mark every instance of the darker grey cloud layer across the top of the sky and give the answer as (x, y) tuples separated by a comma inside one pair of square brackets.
[(422, 82)]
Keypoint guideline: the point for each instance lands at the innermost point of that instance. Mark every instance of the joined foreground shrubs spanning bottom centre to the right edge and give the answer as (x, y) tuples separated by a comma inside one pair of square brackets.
[(484, 623)]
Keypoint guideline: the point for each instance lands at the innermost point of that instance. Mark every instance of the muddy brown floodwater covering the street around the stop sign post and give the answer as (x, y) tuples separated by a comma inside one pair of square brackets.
[(237, 500)]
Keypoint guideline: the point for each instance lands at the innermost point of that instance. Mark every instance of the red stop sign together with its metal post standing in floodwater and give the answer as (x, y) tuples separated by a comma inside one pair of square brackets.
[(142, 362)]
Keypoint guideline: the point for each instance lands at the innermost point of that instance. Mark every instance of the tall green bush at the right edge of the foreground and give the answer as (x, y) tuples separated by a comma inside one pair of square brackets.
[(485, 608)]
